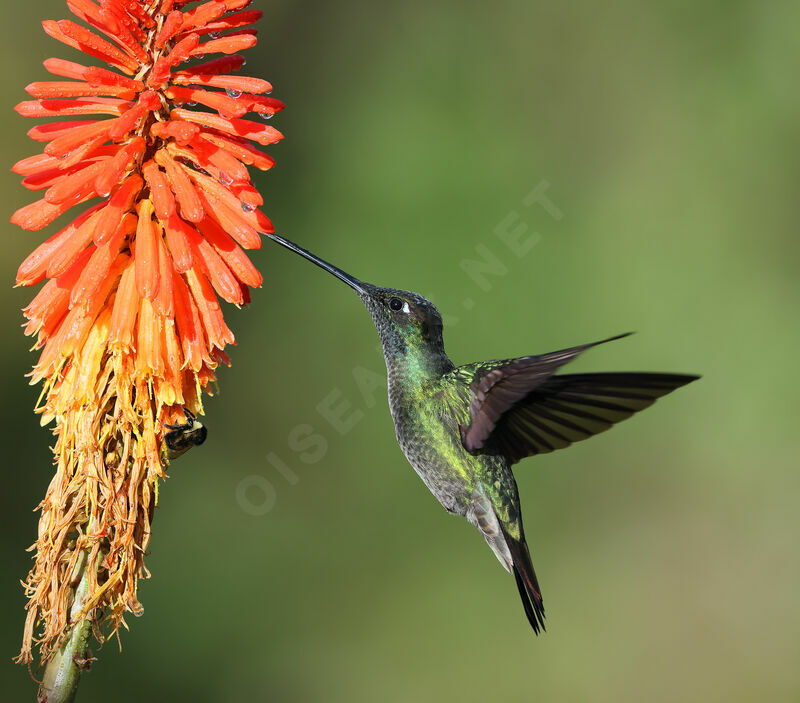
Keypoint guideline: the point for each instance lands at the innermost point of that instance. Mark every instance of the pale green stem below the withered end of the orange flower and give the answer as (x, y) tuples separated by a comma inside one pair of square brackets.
[(63, 671)]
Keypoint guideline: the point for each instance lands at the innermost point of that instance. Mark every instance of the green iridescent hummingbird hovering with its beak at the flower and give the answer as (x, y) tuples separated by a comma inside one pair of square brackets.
[(463, 427)]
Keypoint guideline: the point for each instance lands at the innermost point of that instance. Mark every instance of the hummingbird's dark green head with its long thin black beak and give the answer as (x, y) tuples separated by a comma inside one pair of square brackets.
[(405, 321)]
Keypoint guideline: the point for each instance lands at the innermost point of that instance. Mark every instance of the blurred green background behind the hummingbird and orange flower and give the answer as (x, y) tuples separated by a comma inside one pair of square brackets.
[(667, 134)]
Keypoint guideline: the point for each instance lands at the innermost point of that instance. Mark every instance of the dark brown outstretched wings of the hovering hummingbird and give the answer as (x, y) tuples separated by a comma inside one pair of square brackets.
[(526, 410)]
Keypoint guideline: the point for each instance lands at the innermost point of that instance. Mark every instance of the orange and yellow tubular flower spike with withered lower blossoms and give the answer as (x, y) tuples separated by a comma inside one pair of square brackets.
[(152, 143)]
